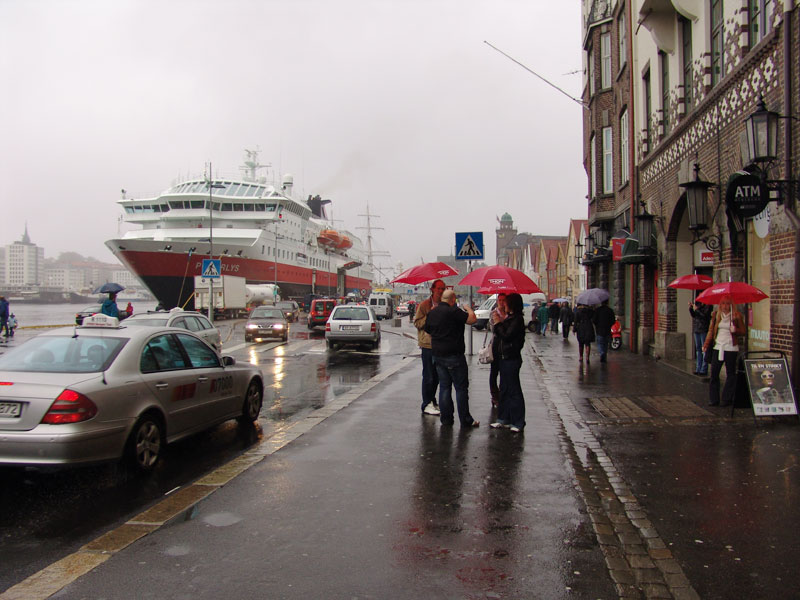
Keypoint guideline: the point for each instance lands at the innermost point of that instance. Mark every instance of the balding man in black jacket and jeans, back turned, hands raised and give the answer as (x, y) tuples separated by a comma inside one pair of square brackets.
[(445, 324)]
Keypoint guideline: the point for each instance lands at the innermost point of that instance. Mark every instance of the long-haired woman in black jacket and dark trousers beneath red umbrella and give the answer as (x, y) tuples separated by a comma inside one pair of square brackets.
[(510, 335)]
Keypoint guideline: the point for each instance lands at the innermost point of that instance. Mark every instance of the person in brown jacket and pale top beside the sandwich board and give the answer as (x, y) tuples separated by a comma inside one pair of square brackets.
[(724, 334)]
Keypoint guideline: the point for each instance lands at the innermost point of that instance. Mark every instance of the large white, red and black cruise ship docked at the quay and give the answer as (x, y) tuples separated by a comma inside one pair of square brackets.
[(258, 230)]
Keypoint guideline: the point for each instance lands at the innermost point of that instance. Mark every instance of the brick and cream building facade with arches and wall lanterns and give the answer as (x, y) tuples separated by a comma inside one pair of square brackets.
[(672, 114)]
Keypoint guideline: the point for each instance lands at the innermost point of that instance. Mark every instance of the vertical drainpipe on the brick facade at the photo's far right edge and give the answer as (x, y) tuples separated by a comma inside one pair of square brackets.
[(791, 205)]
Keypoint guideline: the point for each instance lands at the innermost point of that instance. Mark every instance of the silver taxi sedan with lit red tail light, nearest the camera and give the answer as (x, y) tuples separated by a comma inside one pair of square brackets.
[(103, 392)]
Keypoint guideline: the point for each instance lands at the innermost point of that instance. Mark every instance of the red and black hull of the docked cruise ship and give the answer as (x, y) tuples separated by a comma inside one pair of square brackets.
[(169, 275)]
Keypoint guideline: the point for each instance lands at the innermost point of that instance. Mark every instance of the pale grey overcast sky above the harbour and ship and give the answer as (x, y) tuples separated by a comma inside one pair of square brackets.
[(398, 105)]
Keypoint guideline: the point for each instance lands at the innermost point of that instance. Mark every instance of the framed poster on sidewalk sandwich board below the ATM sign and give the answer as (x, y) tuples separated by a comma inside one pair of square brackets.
[(770, 388)]
